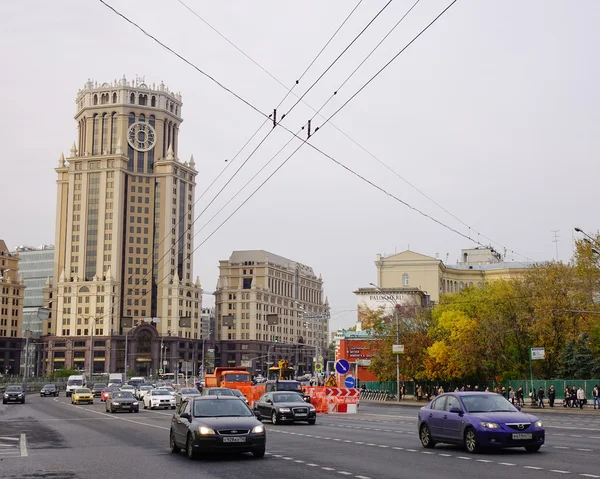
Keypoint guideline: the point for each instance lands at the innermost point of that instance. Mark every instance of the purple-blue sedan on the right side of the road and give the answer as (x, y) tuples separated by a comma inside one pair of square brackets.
[(478, 420)]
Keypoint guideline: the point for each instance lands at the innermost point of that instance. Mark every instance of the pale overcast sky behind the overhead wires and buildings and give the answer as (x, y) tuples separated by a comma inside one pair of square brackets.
[(493, 113)]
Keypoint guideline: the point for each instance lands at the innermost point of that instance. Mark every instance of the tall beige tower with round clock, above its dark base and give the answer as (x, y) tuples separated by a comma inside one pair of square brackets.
[(124, 205)]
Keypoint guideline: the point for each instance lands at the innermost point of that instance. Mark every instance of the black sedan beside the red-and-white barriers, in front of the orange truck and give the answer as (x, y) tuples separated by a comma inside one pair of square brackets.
[(282, 406)]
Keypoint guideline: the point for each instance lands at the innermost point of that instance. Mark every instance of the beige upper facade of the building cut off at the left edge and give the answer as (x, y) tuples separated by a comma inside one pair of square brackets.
[(11, 295)]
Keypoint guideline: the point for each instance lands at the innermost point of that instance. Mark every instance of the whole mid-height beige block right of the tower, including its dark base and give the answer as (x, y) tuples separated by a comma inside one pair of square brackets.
[(268, 308)]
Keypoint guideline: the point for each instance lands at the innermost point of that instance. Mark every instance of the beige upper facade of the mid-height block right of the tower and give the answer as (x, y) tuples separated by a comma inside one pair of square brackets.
[(254, 284)]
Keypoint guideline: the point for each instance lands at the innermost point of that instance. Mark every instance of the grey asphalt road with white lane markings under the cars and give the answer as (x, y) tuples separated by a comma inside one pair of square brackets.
[(48, 438)]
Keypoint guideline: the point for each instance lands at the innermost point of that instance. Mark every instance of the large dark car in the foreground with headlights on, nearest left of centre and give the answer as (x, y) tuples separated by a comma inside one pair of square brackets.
[(216, 424)]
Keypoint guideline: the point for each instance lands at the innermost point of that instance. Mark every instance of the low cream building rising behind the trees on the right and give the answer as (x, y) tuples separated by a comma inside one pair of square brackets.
[(432, 276)]
